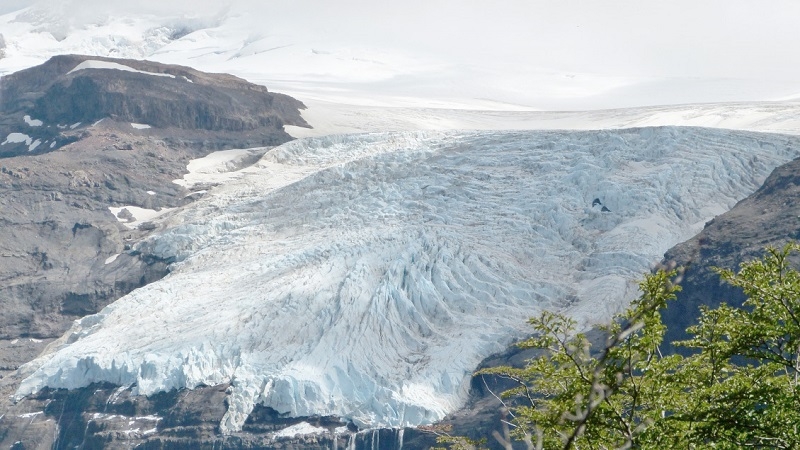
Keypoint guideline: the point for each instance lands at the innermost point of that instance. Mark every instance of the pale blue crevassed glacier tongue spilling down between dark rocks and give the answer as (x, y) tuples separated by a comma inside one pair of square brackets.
[(366, 276)]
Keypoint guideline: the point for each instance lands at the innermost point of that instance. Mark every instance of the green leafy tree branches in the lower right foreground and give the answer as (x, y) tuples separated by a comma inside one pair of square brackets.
[(739, 389)]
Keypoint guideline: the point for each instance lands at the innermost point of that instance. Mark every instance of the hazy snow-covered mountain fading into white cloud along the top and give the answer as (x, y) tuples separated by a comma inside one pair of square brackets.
[(508, 55)]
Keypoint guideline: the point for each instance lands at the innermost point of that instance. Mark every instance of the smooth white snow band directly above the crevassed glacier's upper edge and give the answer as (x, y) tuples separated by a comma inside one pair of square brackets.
[(335, 118)]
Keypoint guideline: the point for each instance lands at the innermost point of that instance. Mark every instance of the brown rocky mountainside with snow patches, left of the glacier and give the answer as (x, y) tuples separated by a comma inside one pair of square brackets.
[(74, 144)]
